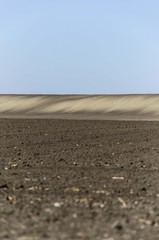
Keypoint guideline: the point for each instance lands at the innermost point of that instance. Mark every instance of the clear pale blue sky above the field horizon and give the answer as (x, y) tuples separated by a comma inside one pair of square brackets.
[(79, 46)]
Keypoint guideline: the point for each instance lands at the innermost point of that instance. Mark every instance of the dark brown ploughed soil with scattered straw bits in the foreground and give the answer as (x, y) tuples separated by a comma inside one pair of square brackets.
[(70, 180)]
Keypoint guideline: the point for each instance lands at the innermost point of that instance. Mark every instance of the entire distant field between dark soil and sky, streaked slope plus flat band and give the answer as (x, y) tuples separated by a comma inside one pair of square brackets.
[(126, 107)]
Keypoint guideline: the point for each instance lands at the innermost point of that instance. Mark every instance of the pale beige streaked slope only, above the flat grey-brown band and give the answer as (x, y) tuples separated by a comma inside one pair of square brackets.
[(145, 104)]
